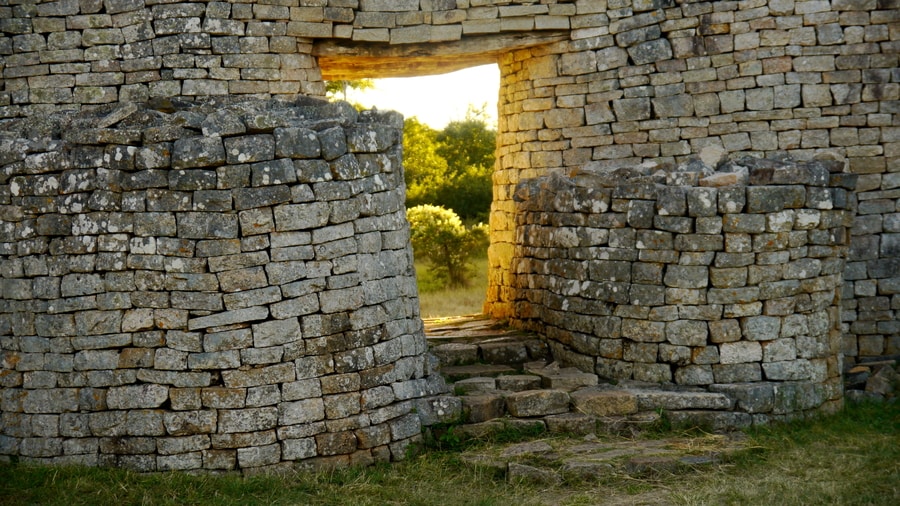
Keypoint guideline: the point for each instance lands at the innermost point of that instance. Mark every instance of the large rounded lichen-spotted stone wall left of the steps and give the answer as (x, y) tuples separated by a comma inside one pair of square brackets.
[(228, 286)]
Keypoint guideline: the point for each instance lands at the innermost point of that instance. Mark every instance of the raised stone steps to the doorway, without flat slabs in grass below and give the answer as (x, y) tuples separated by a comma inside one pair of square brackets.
[(507, 377)]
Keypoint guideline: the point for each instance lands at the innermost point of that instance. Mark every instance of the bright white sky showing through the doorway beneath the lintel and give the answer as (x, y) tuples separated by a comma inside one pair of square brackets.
[(435, 100)]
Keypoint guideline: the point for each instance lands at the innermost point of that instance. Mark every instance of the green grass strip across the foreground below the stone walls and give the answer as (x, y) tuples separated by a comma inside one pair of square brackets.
[(852, 458)]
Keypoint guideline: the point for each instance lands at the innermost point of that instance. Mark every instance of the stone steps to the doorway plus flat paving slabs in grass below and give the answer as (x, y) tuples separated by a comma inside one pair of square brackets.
[(507, 380)]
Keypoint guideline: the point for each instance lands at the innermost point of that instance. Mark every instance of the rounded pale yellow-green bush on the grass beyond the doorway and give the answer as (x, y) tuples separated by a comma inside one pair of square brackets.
[(439, 236)]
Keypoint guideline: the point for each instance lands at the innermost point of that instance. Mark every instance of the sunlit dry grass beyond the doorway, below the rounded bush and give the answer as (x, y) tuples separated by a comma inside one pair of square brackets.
[(436, 301)]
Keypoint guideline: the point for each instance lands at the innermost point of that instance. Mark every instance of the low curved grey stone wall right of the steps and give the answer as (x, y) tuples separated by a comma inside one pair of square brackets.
[(690, 277)]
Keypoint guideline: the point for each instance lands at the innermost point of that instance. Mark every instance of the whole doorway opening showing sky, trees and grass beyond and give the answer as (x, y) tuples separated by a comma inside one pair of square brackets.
[(449, 147)]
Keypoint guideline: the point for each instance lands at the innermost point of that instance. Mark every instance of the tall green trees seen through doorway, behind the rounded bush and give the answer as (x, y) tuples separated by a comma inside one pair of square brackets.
[(451, 167)]
